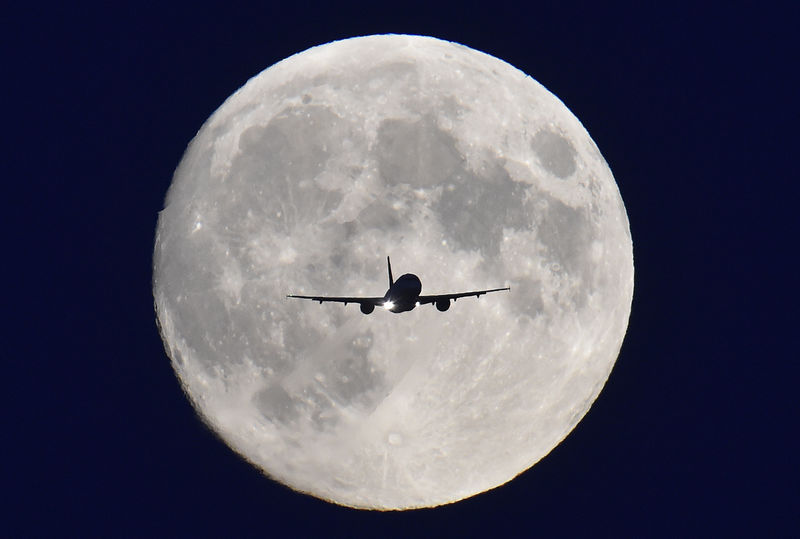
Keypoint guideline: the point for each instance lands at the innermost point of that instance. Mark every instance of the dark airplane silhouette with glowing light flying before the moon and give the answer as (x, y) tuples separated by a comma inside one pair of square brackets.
[(403, 295)]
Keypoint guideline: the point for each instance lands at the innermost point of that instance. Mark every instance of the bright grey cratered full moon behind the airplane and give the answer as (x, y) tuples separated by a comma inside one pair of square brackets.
[(466, 172)]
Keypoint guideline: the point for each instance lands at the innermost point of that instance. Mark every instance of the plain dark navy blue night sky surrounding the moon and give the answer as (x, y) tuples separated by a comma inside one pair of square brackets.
[(694, 108)]
